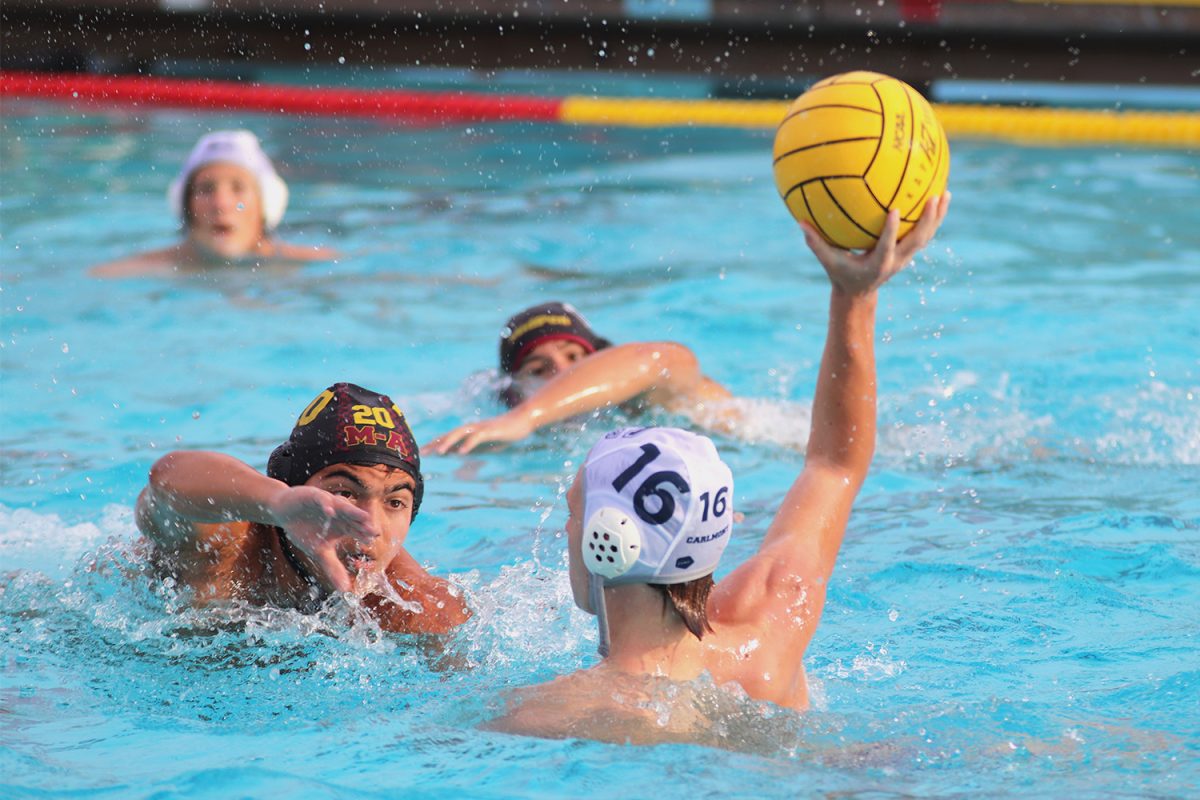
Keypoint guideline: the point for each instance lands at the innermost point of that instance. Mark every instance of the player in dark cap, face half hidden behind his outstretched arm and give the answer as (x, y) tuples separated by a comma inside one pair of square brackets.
[(559, 368)]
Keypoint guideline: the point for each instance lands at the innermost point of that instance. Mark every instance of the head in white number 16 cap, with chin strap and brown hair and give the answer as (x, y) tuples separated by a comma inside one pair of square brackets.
[(651, 507)]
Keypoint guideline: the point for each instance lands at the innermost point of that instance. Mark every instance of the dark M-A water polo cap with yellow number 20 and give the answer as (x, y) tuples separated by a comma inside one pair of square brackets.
[(349, 425)]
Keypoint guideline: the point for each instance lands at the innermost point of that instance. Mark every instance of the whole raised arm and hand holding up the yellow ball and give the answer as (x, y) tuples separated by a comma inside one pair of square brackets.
[(803, 540)]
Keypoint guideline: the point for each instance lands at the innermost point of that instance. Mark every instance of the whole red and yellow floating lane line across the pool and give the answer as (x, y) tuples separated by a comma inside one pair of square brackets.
[(1004, 123)]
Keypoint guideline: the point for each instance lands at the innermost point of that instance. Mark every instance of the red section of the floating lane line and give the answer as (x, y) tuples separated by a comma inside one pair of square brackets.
[(224, 95)]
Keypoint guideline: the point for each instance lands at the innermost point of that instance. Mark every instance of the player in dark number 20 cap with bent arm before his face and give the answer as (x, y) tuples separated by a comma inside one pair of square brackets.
[(332, 515)]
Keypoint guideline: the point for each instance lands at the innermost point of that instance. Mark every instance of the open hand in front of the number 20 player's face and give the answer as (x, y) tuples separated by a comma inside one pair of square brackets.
[(315, 521)]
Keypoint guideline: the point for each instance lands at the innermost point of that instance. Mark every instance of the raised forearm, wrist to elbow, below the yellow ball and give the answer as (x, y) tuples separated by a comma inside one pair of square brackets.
[(843, 434)]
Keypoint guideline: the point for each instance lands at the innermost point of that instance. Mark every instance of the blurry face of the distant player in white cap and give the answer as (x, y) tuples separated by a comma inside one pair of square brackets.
[(225, 212)]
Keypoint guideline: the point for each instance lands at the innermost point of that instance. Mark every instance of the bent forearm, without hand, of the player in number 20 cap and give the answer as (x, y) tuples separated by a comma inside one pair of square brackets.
[(208, 488)]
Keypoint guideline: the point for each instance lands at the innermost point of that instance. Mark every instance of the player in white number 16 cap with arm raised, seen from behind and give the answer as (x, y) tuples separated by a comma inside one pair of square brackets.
[(652, 512)]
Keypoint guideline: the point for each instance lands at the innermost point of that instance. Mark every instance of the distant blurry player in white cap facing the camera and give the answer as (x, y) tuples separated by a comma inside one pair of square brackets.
[(230, 201)]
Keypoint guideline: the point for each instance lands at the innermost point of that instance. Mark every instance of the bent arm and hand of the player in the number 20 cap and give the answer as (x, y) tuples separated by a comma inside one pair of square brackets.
[(189, 489)]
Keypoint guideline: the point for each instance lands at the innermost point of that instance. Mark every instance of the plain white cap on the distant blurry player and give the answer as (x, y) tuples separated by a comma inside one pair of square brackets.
[(239, 149)]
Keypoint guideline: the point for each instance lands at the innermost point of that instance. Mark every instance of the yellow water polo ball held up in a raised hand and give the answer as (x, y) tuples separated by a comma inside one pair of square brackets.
[(854, 147)]
